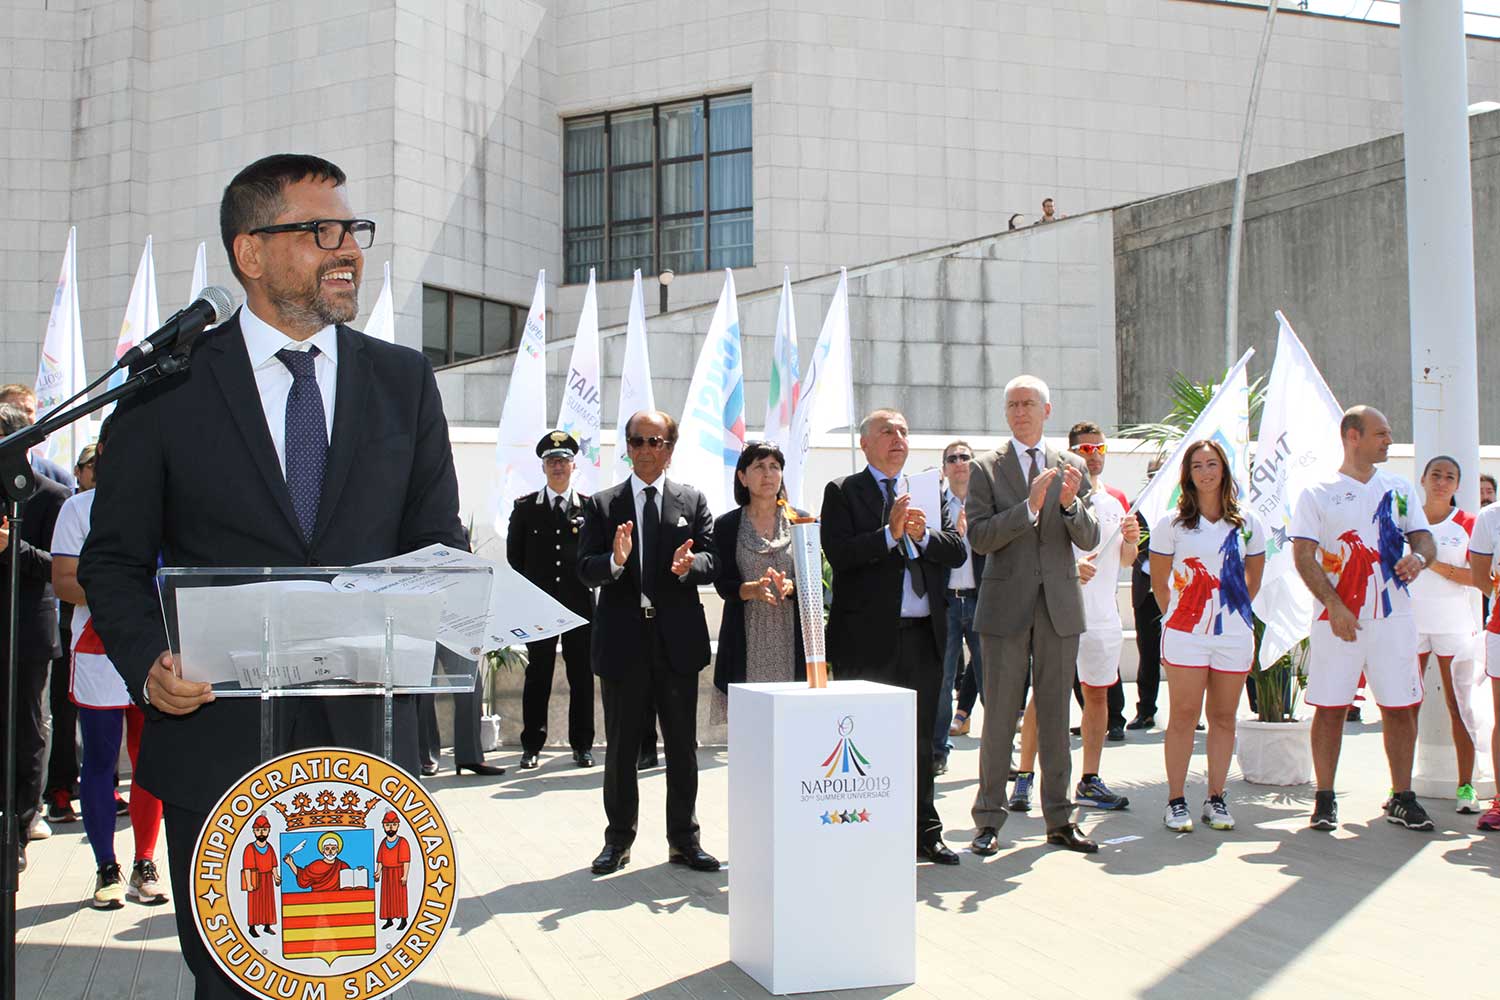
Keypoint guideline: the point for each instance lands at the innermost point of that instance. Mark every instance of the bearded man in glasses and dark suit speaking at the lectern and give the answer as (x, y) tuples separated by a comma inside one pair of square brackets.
[(293, 440)]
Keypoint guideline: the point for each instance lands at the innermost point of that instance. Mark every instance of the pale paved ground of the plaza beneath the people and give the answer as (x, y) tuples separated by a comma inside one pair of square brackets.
[(1271, 909)]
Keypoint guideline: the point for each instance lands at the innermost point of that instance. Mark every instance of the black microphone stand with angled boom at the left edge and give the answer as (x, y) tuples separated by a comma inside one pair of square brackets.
[(17, 484)]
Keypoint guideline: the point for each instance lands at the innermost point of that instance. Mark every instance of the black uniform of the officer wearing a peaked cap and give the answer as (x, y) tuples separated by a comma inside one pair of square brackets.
[(542, 545)]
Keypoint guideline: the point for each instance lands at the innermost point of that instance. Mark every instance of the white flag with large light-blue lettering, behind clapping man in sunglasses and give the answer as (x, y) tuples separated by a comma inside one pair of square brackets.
[(713, 430)]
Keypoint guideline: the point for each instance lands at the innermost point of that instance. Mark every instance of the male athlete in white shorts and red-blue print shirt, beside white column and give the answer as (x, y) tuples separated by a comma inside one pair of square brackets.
[(1348, 542)]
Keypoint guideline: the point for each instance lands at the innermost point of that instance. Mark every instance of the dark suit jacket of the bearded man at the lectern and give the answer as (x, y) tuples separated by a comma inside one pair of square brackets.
[(191, 473)]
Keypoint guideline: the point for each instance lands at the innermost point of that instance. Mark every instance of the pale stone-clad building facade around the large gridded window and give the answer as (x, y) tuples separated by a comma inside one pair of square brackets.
[(878, 130)]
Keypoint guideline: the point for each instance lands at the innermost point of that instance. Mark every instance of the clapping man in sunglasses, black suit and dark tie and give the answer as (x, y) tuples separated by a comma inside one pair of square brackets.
[(647, 545)]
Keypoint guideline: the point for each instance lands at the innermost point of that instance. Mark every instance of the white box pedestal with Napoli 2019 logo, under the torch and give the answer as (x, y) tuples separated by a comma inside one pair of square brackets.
[(823, 836)]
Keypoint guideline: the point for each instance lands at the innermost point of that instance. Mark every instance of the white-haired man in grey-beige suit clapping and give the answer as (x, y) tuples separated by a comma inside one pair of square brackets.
[(1025, 513)]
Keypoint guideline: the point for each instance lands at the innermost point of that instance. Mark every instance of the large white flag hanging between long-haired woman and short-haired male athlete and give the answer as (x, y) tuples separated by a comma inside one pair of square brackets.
[(1298, 446)]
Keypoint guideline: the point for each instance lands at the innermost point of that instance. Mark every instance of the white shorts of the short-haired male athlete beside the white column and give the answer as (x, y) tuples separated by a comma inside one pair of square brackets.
[(1384, 651)]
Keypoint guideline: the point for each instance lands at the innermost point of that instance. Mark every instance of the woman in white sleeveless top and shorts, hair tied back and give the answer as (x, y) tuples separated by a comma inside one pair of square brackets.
[(1447, 611)]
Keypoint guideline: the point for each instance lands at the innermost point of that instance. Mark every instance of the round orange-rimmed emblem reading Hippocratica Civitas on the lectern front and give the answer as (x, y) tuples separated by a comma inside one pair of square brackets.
[(323, 873)]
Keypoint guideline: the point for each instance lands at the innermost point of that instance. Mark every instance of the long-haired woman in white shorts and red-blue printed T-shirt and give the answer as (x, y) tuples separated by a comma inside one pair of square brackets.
[(1207, 558)]
